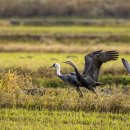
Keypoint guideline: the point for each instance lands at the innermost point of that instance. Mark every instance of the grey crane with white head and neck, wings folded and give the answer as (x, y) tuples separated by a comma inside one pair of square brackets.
[(67, 78)]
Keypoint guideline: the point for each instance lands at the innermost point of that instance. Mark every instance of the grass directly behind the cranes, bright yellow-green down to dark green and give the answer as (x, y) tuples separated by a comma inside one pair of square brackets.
[(37, 65)]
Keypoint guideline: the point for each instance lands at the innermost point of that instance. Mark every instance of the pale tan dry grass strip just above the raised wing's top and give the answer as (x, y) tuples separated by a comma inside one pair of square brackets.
[(52, 47)]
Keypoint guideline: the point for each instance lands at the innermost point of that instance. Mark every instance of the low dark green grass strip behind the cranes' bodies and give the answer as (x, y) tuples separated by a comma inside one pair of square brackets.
[(105, 79)]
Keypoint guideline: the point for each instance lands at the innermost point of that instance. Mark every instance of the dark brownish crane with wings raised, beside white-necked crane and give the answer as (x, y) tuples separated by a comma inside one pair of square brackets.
[(93, 63)]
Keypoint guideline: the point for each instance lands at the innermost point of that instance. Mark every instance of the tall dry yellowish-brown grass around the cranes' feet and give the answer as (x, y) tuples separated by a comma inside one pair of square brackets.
[(12, 95)]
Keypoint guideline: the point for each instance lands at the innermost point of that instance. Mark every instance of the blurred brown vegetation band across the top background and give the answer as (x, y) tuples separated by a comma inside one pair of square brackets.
[(65, 8)]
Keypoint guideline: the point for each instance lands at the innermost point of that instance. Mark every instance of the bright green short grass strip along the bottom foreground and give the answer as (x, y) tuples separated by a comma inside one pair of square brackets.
[(65, 120)]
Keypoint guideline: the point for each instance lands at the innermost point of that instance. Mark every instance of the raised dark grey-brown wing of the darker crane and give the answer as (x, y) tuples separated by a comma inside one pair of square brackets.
[(93, 66)]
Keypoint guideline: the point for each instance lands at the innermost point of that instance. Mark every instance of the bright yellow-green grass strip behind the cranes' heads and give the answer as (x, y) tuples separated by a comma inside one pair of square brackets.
[(27, 60)]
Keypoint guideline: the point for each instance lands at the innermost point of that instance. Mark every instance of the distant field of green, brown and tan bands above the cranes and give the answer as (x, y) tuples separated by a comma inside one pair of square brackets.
[(64, 39)]
